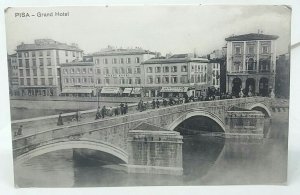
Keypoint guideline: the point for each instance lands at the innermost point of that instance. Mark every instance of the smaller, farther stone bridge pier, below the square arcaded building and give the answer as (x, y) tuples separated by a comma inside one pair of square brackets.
[(244, 124)]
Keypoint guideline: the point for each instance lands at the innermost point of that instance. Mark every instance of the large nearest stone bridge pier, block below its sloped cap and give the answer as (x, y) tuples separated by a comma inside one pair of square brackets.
[(154, 152)]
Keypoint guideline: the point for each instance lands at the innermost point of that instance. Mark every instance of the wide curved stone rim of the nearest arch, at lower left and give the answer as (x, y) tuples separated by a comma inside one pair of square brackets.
[(82, 144)]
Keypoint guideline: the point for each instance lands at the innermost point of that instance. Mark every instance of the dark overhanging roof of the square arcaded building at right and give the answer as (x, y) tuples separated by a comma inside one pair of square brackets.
[(252, 36)]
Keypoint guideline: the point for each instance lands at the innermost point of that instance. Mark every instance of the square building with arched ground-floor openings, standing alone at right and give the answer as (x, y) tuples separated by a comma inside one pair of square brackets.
[(251, 64)]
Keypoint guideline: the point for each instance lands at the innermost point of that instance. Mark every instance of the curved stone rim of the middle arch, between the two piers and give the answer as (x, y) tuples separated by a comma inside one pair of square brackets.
[(188, 115)]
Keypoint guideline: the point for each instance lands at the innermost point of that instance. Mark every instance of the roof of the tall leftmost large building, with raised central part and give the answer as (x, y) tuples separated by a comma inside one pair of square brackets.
[(45, 44)]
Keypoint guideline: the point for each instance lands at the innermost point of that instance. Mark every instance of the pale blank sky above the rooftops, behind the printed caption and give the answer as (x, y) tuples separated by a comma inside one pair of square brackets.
[(165, 29)]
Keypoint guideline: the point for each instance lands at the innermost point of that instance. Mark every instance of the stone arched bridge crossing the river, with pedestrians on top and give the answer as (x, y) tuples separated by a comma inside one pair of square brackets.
[(120, 136)]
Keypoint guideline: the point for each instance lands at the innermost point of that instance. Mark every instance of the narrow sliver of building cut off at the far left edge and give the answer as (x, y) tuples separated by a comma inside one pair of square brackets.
[(13, 74)]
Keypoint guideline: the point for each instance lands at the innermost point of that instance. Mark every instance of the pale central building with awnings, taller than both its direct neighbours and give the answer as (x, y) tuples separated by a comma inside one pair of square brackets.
[(118, 71)]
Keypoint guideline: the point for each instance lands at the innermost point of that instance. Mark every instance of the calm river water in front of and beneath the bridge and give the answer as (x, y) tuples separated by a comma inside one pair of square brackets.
[(207, 160)]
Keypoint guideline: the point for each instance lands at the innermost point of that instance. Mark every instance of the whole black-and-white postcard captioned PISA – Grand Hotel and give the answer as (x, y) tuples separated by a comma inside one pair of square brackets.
[(109, 96)]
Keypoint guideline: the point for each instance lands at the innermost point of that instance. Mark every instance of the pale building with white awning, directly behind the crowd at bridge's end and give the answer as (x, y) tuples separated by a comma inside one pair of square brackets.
[(177, 75)]
